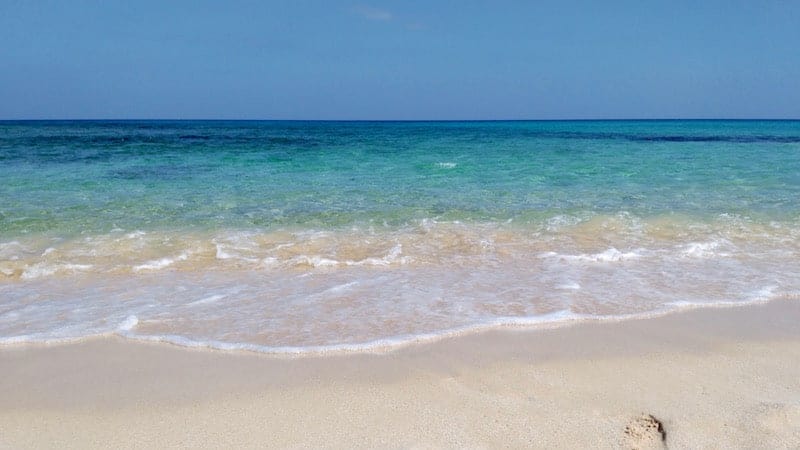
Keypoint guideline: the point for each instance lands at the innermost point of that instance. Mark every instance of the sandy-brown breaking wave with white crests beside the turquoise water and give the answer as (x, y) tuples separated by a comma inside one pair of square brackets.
[(427, 242)]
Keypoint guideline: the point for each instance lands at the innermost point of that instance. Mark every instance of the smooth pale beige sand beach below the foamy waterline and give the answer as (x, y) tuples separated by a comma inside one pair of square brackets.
[(719, 378)]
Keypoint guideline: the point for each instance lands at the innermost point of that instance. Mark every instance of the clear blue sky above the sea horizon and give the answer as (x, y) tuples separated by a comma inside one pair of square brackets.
[(399, 60)]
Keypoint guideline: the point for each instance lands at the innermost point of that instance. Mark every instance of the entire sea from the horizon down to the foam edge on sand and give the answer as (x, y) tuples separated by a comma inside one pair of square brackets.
[(308, 237)]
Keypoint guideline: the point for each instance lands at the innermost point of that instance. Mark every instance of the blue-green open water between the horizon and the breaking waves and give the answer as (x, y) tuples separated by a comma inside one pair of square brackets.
[(77, 176)]
